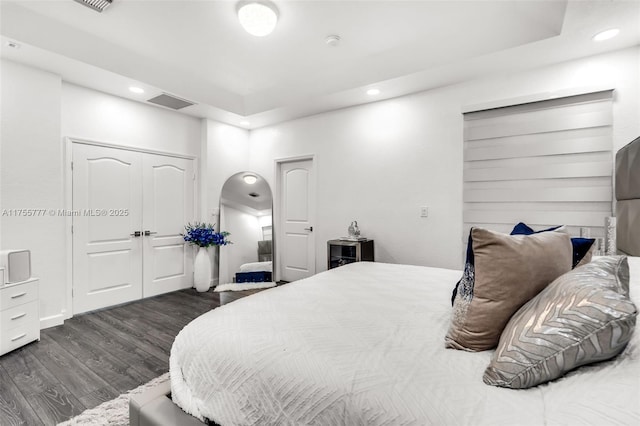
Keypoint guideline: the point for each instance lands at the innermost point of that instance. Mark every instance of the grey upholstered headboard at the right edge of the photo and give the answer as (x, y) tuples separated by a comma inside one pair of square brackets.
[(628, 196)]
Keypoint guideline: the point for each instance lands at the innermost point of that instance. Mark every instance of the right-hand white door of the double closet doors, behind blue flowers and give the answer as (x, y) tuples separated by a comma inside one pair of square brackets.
[(168, 190)]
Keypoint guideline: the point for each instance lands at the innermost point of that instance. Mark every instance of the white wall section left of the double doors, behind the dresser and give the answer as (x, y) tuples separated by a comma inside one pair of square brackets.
[(32, 178)]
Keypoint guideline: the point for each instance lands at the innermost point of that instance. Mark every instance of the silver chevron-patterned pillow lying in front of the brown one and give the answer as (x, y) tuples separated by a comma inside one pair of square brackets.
[(584, 316)]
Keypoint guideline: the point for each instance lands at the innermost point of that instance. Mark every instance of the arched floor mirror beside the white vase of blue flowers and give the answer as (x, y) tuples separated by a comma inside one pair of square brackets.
[(246, 212)]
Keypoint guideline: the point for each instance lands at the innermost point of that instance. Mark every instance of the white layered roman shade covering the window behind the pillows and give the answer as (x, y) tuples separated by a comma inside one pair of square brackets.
[(544, 163)]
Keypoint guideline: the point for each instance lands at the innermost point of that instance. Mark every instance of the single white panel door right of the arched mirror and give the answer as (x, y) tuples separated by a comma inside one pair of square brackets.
[(297, 210)]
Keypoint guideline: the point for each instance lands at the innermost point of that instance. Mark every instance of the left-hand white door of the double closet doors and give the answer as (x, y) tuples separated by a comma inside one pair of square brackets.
[(107, 209)]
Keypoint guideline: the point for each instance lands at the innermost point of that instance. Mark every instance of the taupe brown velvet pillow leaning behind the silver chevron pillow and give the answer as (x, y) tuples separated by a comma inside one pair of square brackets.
[(502, 273)]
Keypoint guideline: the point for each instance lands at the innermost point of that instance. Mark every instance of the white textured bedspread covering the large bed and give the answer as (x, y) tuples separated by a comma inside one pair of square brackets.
[(363, 344)]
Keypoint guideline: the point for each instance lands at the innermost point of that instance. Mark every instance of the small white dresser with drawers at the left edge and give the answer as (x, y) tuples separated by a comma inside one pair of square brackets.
[(19, 317)]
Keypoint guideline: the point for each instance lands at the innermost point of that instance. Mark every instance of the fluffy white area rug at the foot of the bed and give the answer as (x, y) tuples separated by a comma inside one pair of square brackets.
[(114, 412)]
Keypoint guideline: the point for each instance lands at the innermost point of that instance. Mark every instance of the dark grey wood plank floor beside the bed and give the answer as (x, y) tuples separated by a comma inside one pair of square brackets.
[(94, 357)]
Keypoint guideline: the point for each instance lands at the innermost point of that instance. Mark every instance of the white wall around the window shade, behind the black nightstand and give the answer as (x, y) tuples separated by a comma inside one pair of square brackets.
[(377, 163)]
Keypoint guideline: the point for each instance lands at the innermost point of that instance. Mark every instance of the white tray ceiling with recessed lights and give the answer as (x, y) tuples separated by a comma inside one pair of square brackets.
[(196, 49)]
